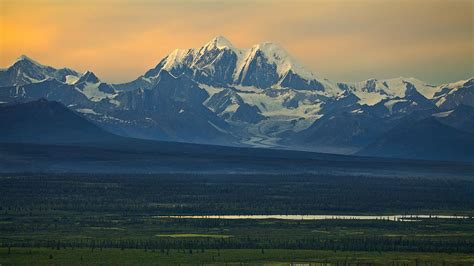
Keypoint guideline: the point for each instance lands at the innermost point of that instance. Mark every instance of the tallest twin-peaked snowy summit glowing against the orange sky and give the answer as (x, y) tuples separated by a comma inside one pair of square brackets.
[(219, 63)]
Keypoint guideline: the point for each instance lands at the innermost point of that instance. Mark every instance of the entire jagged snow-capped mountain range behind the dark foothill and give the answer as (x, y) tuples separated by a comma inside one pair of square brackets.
[(259, 97)]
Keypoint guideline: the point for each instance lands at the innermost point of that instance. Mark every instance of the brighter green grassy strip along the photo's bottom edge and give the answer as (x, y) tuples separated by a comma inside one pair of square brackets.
[(43, 256)]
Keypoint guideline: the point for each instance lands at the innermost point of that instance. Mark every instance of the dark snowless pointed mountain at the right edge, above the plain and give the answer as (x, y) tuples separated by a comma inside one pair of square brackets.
[(425, 139)]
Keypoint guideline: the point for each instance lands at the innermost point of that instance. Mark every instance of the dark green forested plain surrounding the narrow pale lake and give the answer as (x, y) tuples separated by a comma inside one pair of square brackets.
[(65, 220)]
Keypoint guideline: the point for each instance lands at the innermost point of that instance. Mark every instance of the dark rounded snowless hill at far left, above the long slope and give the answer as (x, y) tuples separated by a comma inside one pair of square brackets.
[(43, 121)]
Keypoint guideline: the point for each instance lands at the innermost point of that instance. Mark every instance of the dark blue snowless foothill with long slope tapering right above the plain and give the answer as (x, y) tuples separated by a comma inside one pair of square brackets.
[(45, 136)]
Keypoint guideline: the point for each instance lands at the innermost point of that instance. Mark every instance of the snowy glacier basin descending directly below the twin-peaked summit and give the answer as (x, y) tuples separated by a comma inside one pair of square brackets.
[(258, 117)]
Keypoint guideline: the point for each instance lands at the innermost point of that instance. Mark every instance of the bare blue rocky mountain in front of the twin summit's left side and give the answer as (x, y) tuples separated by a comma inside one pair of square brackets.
[(174, 108)]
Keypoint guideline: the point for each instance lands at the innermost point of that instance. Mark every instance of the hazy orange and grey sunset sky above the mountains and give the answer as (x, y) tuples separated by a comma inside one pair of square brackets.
[(342, 40)]
